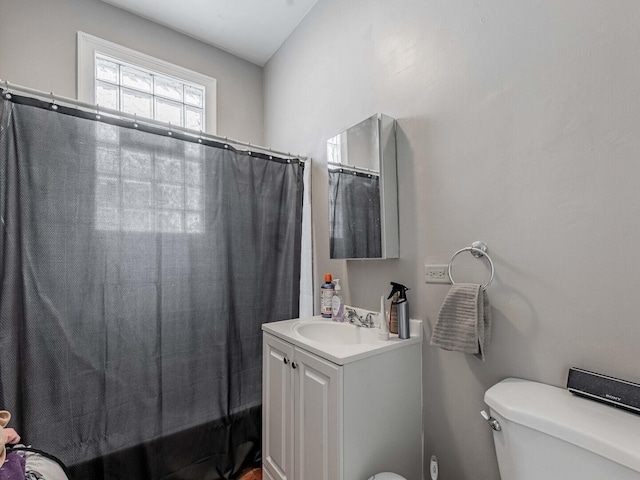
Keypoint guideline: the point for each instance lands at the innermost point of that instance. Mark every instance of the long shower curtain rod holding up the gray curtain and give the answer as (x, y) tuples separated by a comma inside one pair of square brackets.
[(9, 87)]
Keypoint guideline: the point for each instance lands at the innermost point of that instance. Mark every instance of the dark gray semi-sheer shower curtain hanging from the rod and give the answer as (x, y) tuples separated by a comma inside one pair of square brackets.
[(136, 269)]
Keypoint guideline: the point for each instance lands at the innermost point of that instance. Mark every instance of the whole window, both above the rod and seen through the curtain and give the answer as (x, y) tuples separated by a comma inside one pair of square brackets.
[(146, 188)]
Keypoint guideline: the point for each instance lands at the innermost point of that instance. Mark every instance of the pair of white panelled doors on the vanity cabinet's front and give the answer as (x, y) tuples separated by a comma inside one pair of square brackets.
[(300, 407)]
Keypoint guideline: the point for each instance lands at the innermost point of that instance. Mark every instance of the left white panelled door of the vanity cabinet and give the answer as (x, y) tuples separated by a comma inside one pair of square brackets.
[(277, 407)]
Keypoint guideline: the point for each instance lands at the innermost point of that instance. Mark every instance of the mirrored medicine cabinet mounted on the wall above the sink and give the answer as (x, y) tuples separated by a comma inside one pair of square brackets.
[(363, 191)]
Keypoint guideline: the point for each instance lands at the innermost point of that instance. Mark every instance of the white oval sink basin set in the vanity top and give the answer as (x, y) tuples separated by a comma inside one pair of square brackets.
[(334, 333)]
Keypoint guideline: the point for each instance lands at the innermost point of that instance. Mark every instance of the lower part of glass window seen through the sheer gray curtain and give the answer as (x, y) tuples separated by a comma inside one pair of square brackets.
[(145, 188)]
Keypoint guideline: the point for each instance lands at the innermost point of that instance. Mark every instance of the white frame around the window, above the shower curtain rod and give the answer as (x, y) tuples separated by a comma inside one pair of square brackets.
[(88, 46)]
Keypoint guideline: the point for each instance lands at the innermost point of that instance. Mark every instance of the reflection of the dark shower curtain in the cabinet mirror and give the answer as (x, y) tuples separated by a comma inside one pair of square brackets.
[(354, 215)]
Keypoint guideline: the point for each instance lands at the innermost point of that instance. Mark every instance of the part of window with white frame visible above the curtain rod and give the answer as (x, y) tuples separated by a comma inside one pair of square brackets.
[(123, 79)]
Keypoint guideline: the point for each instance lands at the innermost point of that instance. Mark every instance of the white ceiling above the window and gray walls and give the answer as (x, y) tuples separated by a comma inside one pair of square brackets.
[(249, 29)]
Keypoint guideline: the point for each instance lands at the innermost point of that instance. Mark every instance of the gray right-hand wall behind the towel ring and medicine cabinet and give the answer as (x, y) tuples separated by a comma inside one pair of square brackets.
[(519, 125)]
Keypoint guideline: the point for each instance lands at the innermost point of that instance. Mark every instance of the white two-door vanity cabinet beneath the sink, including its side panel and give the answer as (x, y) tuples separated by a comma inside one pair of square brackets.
[(322, 420)]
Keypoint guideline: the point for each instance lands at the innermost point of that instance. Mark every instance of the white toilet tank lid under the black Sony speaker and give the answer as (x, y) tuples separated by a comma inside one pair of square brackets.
[(601, 429)]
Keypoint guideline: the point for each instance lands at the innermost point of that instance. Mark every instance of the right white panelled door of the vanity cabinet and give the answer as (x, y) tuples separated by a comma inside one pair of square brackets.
[(318, 418)]
